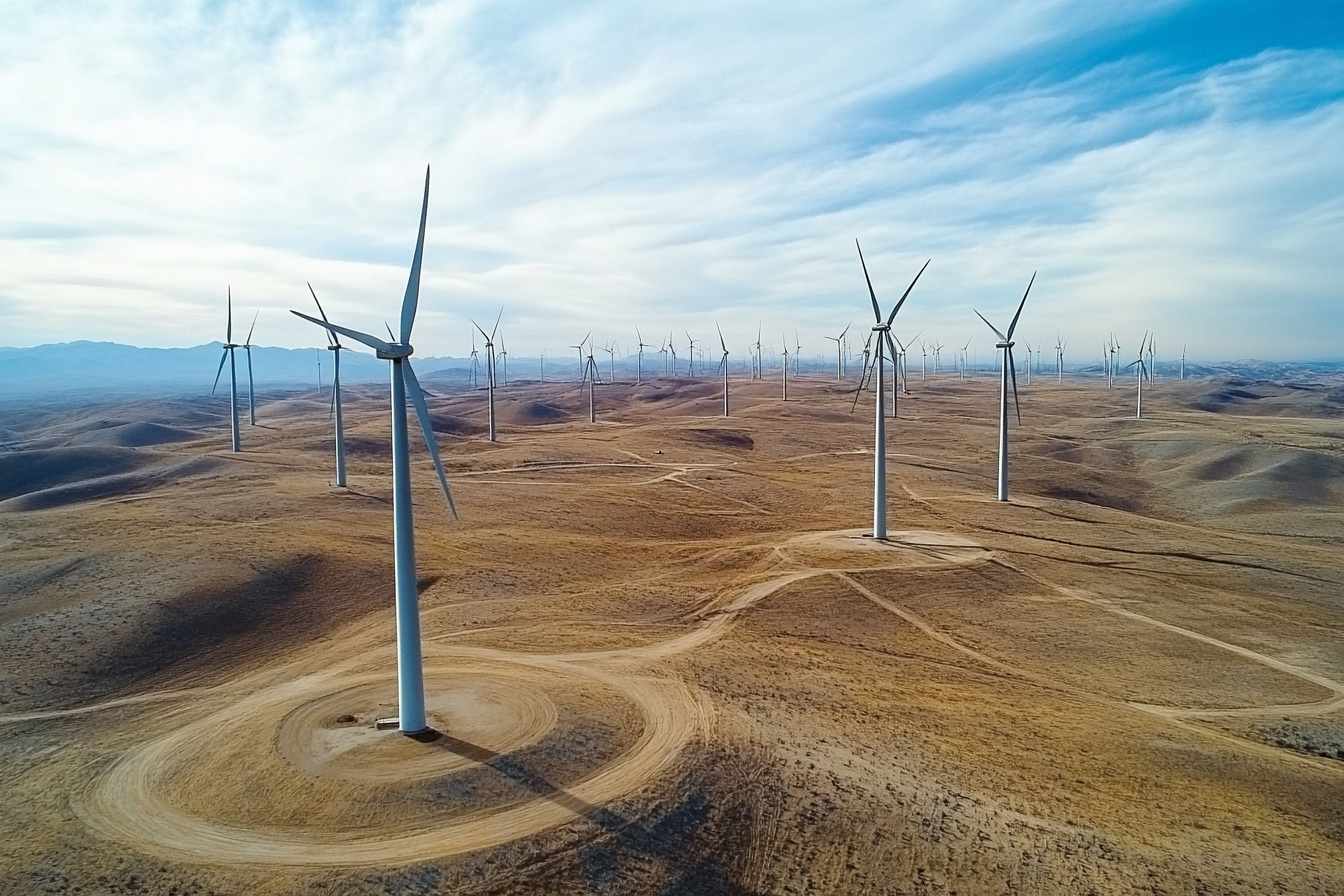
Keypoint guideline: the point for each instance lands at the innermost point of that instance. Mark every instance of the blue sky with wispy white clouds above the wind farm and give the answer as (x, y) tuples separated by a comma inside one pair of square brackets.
[(607, 166)]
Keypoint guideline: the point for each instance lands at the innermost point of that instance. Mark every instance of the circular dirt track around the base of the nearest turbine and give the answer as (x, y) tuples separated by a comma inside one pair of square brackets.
[(214, 791)]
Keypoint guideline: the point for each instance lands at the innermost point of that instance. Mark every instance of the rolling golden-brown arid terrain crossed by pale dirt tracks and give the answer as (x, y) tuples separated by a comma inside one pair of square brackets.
[(662, 659)]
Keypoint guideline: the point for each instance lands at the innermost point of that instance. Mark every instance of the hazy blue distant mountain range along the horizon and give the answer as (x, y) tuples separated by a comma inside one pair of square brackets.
[(111, 367)]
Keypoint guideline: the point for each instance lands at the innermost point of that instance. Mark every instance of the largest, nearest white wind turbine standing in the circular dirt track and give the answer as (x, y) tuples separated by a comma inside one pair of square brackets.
[(411, 674)]
